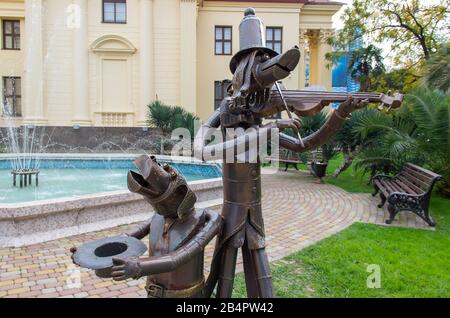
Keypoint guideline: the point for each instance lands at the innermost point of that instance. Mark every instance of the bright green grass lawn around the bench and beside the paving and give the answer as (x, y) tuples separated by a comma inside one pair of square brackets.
[(413, 263)]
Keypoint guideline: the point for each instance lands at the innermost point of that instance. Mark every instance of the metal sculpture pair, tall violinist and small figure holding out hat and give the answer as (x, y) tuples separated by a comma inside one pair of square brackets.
[(178, 233)]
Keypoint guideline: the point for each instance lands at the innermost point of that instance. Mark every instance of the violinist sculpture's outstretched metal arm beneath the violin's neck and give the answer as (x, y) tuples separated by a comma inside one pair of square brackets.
[(332, 125)]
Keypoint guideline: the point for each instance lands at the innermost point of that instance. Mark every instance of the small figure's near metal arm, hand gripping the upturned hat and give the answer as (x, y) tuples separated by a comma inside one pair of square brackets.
[(136, 268)]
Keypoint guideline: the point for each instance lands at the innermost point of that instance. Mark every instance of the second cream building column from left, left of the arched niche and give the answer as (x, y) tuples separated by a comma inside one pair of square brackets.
[(81, 113)]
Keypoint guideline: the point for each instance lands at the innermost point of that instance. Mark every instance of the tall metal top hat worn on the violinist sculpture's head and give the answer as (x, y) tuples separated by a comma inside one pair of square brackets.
[(251, 37)]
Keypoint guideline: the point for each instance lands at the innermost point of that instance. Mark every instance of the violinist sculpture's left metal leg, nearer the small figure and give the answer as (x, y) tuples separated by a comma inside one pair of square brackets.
[(226, 277)]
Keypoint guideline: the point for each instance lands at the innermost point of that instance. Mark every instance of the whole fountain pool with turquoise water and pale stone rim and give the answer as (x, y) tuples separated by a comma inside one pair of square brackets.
[(81, 193)]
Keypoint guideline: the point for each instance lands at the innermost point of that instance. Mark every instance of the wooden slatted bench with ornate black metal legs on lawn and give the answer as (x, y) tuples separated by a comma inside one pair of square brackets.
[(410, 190)]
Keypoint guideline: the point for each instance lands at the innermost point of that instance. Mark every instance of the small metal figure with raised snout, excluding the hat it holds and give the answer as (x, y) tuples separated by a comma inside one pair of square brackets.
[(178, 234)]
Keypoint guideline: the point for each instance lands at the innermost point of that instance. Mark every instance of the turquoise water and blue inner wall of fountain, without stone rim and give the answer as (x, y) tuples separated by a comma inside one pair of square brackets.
[(68, 176)]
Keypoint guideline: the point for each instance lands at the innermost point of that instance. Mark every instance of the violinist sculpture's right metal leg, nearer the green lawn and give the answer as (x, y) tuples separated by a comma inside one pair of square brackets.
[(262, 271)]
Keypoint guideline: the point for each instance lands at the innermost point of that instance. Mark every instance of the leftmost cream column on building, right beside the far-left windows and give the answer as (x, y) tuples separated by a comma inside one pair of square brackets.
[(34, 66)]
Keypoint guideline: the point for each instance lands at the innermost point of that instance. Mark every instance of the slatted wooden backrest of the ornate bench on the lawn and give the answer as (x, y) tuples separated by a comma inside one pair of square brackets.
[(418, 179)]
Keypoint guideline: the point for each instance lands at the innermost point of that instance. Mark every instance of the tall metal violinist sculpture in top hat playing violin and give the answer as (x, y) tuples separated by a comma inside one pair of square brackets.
[(255, 94)]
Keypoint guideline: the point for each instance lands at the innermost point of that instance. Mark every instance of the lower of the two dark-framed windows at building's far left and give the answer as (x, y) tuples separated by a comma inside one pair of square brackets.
[(12, 96)]
